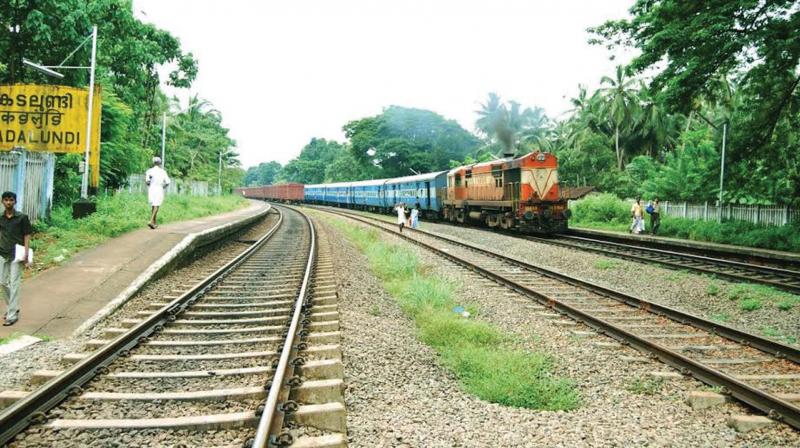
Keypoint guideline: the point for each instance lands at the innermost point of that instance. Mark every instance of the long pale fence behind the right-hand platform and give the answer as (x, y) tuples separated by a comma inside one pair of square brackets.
[(769, 215)]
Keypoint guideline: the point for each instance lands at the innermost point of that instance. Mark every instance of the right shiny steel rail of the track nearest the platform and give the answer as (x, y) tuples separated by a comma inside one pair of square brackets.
[(271, 420)]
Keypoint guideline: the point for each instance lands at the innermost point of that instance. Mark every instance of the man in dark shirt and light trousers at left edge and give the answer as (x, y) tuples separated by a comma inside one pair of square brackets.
[(15, 229)]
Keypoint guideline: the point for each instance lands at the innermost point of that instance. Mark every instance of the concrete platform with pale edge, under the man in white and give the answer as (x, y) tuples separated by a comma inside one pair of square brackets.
[(58, 301)]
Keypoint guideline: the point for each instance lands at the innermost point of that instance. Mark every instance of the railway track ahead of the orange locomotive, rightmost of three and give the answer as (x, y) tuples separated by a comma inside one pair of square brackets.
[(766, 272)]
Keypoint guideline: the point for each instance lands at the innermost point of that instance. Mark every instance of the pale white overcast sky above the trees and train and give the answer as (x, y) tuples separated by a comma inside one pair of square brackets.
[(284, 72)]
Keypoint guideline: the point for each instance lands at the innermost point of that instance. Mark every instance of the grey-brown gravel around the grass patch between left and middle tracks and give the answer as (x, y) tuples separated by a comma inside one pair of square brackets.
[(398, 396)]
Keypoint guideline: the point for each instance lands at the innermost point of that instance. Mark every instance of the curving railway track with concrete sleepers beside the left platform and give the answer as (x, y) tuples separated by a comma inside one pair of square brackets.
[(249, 356)]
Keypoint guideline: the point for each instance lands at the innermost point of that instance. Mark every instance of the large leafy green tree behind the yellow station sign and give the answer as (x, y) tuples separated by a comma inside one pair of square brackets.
[(129, 56)]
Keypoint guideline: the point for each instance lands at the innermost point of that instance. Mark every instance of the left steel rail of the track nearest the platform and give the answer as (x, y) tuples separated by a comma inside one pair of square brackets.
[(32, 408)]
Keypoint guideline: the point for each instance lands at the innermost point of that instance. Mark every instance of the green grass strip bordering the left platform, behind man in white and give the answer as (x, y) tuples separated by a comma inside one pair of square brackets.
[(54, 242)]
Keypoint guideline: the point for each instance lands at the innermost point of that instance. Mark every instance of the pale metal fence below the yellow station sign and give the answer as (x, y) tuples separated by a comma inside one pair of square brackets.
[(30, 175)]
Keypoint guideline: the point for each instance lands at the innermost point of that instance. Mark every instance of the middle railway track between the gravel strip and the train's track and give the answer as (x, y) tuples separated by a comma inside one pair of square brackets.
[(759, 372)]
